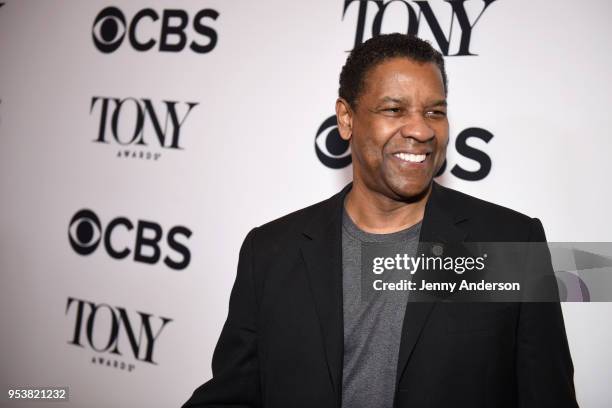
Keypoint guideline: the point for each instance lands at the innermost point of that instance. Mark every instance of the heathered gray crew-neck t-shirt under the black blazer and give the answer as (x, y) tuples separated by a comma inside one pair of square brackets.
[(372, 328)]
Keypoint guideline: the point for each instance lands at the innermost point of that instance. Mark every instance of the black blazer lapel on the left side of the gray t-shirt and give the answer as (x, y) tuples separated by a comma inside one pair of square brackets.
[(322, 253)]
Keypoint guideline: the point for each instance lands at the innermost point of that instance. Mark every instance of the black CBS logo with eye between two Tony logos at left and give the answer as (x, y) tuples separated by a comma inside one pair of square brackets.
[(85, 233)]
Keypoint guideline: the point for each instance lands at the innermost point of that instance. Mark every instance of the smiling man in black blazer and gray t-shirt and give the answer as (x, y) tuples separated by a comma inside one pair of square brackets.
[(298, 334)]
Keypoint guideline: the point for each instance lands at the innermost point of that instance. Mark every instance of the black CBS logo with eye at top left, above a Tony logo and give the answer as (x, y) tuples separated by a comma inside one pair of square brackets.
[(110, 28)]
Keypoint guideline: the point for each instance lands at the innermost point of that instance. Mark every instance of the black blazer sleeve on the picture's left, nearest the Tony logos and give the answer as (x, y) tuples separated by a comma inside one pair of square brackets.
[(235, 367)]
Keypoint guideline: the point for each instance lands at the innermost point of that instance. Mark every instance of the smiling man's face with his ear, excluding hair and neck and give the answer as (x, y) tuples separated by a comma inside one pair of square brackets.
[(399, 128)]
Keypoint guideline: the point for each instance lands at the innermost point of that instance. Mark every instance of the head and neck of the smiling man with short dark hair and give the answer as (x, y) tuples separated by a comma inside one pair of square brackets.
[(395, 119)]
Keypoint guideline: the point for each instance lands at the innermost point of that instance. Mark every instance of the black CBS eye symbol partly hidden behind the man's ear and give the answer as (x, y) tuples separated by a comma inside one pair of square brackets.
[(333, 151)]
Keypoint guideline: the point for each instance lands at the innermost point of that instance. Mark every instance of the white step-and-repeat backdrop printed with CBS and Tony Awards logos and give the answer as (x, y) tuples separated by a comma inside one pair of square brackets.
[(141, 140)]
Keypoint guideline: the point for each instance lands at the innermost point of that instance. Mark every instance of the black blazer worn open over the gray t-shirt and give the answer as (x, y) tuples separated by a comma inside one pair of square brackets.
[(282, 343)]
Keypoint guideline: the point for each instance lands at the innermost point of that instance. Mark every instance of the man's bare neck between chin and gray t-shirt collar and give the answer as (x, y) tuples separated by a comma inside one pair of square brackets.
[(378, 214)]
